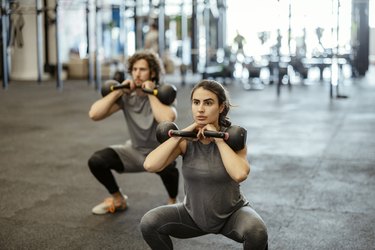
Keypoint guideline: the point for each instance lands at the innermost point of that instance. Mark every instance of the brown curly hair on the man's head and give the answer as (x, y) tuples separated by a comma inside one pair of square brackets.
[(153, 60)]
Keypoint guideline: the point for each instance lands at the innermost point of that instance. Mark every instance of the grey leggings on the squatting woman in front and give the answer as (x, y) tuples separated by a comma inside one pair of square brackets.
[(244, 226)]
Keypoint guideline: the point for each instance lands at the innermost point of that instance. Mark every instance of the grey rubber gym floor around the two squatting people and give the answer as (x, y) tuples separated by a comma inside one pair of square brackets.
[(312, 177)]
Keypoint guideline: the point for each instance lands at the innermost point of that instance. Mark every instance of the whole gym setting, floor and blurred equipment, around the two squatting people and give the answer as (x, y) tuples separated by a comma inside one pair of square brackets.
[(311, 148)]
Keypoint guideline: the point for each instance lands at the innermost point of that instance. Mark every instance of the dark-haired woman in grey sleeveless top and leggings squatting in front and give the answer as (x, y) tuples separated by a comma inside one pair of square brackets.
[(212, 171)]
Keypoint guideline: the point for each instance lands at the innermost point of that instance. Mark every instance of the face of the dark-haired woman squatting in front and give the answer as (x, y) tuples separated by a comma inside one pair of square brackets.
[(205, 107)]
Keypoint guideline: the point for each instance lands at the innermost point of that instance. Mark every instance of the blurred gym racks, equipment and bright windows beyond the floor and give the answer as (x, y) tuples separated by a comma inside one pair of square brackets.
[(253, 42)]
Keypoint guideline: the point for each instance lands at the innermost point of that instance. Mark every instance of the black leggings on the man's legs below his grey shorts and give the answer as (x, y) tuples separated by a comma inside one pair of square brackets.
[(103, 161)]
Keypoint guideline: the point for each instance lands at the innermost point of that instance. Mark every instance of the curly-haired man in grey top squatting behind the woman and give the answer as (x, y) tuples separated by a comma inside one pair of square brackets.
[(142, 113)]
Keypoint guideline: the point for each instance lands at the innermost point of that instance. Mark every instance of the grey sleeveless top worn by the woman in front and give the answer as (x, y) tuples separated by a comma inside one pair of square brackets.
[(211, 194)]
